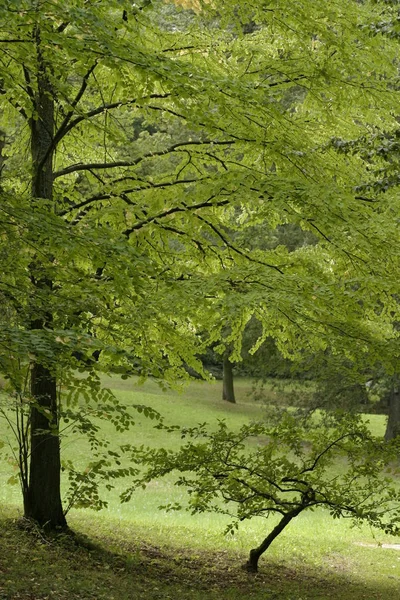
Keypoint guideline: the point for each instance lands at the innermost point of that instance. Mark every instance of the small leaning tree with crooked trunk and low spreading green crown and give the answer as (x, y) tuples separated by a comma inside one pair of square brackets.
[(282, 469)]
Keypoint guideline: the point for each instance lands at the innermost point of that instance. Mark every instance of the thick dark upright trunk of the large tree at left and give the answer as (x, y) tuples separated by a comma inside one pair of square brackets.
[(42, 501)]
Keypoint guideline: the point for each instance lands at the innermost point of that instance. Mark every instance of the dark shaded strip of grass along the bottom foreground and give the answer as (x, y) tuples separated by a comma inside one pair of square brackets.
[(74, 567)]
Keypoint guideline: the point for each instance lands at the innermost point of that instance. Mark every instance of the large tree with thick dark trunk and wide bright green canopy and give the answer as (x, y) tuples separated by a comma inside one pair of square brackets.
[(119, 245)]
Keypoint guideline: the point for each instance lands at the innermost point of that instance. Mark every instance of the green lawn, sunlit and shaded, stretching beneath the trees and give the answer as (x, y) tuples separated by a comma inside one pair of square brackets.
[(135, 551)]
